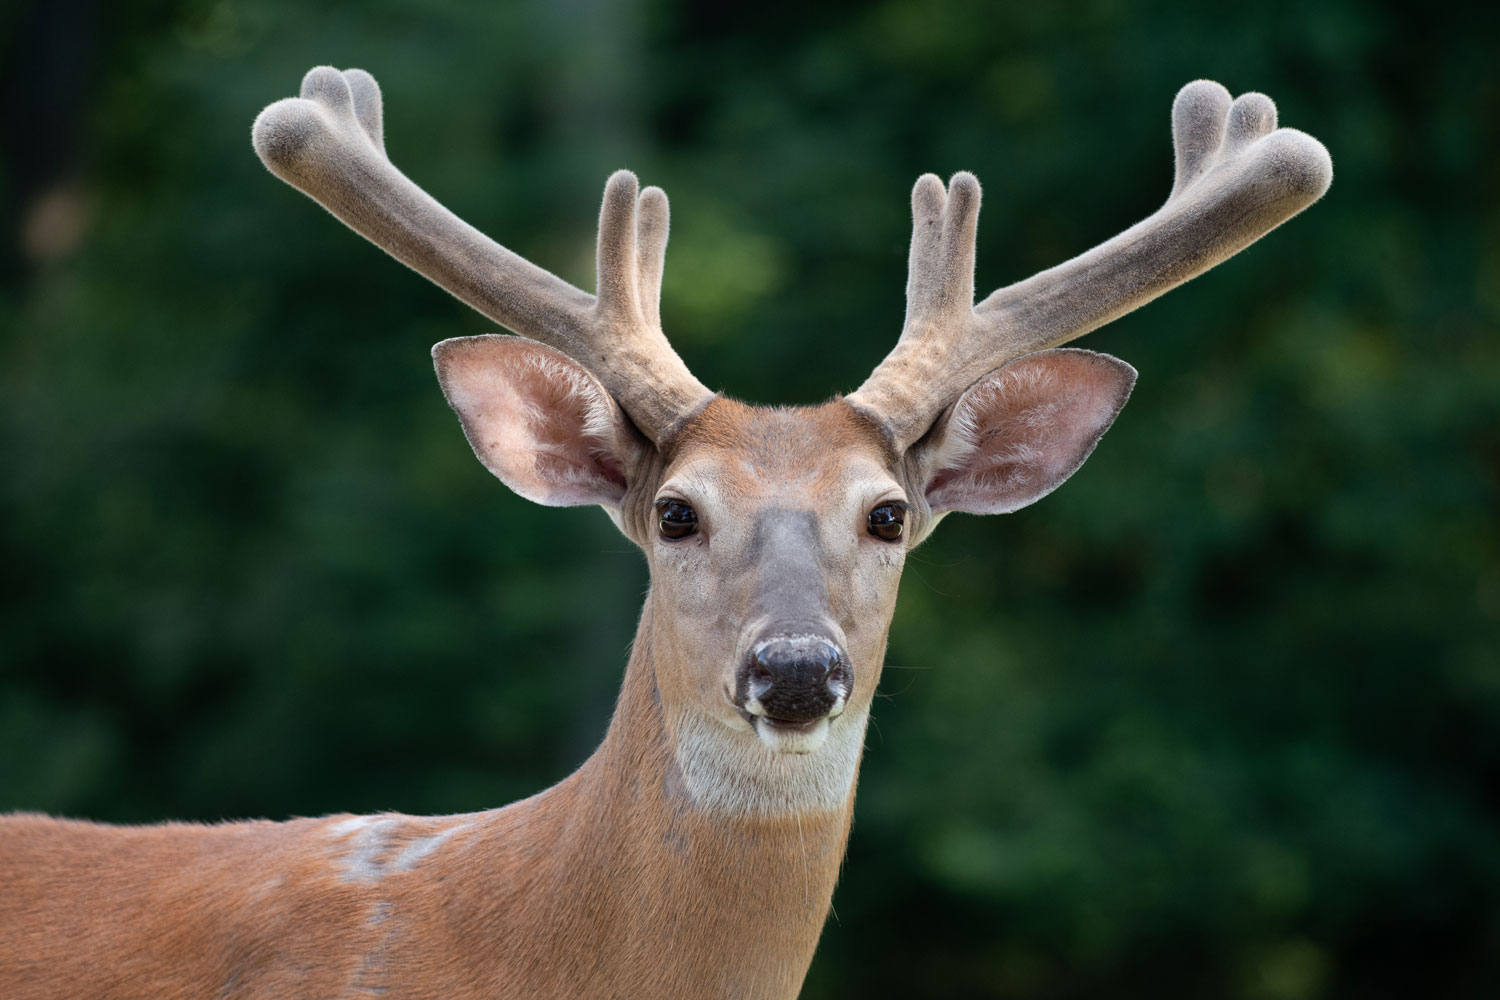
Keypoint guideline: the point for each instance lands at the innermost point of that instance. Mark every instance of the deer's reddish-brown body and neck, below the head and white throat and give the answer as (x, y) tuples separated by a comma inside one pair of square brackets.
[(457, 906)]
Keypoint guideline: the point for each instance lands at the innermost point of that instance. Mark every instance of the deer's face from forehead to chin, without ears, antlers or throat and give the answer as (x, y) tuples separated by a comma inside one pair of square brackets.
[(776, 542)]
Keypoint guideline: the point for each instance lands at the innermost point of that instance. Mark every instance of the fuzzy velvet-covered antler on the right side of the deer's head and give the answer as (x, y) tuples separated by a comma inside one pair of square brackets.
[(1237, 179)]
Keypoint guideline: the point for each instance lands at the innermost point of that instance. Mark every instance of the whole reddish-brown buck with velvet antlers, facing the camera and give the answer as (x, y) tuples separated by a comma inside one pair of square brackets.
[(695, 852)]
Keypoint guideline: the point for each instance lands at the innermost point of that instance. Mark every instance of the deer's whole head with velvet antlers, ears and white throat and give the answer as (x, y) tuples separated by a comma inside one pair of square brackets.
[(776, 536)]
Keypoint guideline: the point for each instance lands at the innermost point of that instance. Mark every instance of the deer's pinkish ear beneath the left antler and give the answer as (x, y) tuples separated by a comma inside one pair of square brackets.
[(538, 421)]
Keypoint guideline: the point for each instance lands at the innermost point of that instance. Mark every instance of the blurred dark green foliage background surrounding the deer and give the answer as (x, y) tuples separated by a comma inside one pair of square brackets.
[(1220, 719)]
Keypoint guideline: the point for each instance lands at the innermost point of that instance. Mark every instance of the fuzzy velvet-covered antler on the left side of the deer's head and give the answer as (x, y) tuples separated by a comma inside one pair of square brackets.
[(328, 143)]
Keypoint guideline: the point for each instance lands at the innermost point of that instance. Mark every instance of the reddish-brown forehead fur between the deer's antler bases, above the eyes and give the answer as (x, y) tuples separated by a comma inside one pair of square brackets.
[(776, 442)]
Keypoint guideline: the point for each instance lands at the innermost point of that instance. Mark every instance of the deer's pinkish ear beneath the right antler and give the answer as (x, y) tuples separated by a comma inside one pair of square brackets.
[(1022, 430)]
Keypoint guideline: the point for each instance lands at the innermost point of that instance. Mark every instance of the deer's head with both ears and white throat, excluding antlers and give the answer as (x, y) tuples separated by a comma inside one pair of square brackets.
[(776, 536)]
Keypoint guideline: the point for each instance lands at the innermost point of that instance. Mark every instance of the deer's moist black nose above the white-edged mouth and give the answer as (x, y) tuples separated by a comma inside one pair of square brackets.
[(794, 678)]
